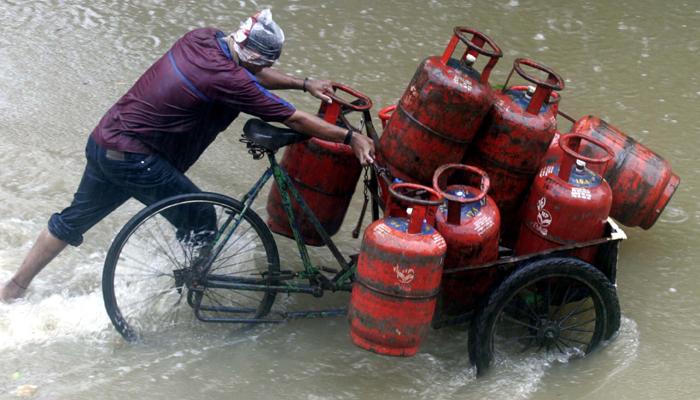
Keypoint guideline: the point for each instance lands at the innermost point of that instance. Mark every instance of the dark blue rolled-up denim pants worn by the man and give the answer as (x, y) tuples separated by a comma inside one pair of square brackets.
[(108, 182)]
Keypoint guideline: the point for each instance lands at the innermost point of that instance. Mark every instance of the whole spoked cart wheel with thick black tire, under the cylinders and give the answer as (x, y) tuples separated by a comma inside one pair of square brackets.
[(554, 305)]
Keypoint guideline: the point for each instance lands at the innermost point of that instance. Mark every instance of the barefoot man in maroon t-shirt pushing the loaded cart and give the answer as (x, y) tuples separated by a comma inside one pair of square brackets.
[(157, 130)]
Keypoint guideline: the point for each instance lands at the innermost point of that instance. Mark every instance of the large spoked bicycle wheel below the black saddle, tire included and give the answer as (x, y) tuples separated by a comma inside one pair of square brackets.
[(158, 266)]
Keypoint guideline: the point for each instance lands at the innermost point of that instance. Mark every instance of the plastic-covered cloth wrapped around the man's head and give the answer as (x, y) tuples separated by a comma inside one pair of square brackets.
[(259, 39)]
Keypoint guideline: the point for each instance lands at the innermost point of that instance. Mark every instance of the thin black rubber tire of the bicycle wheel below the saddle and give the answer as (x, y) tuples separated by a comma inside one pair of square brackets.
[(113, 255)]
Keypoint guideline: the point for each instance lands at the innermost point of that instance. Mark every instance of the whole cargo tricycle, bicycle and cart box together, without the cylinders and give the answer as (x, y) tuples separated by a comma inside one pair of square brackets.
[(212, 255)]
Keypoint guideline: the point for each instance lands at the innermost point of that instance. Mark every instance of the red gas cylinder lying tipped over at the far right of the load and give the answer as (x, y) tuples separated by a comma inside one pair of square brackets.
[(642, 181)]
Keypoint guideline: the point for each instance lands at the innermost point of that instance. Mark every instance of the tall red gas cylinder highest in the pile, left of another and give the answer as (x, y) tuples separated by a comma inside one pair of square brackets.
[(440, 111)]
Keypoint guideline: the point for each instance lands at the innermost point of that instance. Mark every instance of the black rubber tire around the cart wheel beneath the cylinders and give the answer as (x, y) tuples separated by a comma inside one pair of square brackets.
[(483, 324)]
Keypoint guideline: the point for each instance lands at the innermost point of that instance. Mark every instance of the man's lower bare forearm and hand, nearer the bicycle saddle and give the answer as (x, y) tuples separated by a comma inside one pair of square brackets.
[(303, 122)]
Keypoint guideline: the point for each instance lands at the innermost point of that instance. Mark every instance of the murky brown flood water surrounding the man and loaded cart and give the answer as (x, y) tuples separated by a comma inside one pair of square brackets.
[(63, 63)]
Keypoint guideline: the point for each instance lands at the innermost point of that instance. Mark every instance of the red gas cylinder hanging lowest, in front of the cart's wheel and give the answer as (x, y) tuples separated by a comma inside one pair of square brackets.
[(398, 275)]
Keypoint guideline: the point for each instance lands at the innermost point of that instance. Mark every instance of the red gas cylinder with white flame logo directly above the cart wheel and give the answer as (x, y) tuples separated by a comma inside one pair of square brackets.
[(568, 203)]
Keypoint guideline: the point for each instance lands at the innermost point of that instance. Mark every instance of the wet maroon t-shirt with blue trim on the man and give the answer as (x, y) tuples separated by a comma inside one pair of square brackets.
[(182, 102)]
